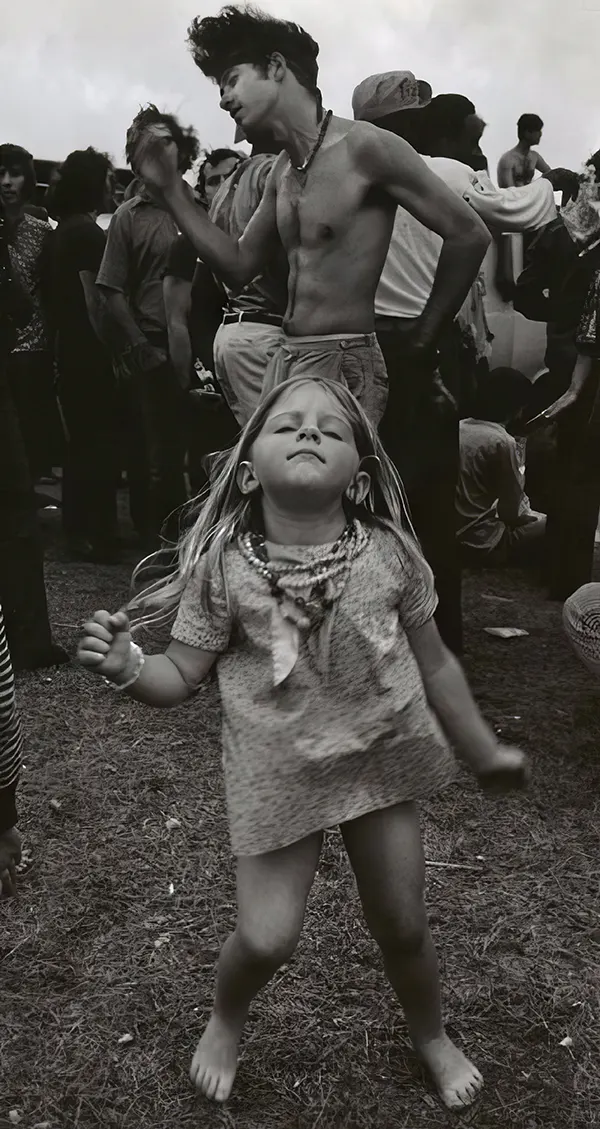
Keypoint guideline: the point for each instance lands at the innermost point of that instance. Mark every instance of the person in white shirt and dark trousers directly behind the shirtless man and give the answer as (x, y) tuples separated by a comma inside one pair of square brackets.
[(421, 427)]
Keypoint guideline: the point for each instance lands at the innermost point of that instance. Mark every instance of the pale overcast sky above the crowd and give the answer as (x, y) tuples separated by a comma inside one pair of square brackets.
[(76, 72)]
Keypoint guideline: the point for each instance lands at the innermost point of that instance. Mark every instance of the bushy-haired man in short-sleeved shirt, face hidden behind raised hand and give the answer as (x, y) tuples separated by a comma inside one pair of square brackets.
[(132, 274)]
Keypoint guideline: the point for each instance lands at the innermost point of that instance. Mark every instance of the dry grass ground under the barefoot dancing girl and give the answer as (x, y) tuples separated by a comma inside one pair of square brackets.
[(119, 920)]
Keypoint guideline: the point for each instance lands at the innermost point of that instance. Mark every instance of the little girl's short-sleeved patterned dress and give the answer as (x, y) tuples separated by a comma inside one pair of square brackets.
[(325, 747)]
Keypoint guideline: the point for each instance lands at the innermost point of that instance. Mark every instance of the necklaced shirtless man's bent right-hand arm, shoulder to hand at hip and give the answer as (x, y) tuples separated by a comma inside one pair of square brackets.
[(396, 168)]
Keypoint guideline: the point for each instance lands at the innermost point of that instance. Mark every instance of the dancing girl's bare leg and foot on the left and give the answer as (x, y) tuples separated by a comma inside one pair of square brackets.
[(272, 899)]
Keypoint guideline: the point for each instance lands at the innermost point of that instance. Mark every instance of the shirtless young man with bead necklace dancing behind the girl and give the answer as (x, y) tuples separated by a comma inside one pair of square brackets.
[(332, 200)]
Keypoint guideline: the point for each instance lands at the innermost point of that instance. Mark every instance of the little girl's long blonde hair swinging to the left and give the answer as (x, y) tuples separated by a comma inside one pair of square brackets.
[(221, 513)]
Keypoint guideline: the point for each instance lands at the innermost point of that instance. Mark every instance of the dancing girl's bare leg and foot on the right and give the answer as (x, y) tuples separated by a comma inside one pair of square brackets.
[(387, 856)]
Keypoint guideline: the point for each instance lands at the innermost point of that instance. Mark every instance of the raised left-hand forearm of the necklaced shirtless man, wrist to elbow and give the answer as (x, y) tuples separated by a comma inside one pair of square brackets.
[(214, 247)]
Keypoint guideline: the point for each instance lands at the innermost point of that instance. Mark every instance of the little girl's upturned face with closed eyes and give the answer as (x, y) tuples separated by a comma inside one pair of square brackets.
[(307, 453)]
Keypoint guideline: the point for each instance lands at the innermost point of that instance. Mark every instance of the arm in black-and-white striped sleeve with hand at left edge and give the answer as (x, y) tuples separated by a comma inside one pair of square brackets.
[(11, 760)]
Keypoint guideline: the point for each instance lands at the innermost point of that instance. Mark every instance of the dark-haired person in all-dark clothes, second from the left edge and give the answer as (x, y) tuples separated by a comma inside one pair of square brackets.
[(86, 381)]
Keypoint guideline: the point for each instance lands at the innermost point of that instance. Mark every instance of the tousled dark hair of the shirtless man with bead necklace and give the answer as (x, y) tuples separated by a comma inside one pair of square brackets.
[(248, 36)]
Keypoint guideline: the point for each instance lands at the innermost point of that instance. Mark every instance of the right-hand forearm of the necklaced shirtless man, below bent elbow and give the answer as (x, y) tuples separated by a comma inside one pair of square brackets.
[(457, 270)]
